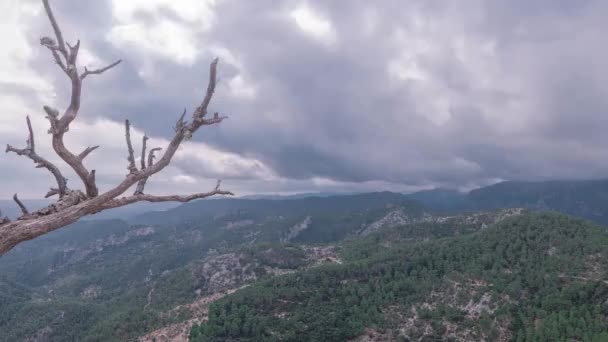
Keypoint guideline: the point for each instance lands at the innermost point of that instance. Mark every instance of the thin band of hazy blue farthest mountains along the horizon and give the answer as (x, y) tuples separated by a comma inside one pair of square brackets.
[(587, 199)]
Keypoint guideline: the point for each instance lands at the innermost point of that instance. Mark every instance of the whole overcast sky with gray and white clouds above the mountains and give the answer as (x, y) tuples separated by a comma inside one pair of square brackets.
[(322, 95)]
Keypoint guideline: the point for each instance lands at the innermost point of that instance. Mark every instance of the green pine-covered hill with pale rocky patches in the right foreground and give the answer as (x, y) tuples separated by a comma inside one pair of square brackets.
[(536, 277)]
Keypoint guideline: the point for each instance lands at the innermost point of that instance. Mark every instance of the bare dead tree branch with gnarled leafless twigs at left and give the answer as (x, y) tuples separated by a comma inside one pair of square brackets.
[(72, 204)]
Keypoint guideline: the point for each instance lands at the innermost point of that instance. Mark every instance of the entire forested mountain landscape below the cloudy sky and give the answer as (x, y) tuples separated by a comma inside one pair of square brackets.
[(474, 263)]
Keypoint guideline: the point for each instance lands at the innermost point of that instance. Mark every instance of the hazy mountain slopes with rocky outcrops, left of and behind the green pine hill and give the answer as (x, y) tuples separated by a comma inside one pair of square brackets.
[(119, 279)]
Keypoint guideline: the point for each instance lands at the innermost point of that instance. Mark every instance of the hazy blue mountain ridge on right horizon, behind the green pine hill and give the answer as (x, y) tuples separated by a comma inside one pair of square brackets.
[(585, 198)]
